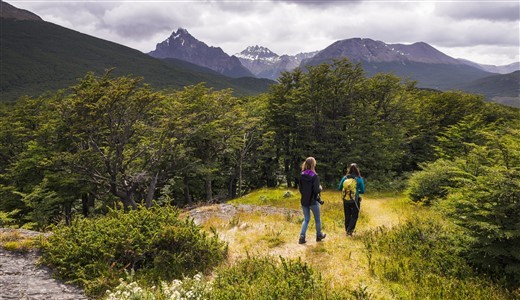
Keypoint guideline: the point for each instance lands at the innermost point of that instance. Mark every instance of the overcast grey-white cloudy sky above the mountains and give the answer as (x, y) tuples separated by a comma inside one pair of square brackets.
[(486, 32)]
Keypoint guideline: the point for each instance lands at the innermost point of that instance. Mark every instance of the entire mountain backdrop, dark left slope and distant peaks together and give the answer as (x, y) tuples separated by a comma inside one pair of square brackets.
[(38, 56)]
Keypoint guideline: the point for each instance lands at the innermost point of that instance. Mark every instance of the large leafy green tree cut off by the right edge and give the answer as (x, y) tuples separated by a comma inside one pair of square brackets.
[(487, 203)]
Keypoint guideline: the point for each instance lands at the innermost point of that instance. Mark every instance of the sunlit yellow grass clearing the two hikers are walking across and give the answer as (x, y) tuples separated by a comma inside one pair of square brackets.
[(341, 260)]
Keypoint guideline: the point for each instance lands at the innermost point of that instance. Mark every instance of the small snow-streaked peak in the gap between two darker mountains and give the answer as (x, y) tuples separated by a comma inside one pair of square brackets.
[(264, 63)]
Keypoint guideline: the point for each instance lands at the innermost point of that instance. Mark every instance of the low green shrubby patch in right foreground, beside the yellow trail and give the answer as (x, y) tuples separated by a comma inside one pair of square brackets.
[(421, 259)]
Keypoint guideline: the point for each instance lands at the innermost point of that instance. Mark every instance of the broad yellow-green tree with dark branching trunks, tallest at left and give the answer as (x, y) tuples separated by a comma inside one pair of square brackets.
[(113, 127)]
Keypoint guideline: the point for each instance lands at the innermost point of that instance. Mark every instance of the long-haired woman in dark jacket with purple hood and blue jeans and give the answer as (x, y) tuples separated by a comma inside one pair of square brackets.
[(310, 188)]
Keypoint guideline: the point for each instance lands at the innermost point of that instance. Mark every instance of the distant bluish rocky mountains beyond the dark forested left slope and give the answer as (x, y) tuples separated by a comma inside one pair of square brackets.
[(420, 62)]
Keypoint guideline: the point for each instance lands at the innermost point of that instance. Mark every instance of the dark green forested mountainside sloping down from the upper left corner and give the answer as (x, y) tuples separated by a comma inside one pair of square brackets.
[(38, 56)]
